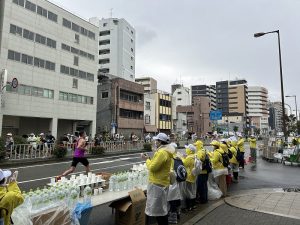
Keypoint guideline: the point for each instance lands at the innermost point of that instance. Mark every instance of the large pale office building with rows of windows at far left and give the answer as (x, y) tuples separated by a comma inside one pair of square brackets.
[(53, 54)]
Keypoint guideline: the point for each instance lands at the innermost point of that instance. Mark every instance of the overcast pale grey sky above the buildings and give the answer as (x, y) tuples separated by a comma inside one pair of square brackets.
[(204, 41)]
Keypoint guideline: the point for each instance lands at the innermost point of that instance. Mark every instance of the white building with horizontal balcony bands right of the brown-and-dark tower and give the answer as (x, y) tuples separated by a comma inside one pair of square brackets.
[(258, 109)]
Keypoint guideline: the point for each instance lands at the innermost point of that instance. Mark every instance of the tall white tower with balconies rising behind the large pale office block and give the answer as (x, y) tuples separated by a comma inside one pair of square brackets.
[(116, 47)]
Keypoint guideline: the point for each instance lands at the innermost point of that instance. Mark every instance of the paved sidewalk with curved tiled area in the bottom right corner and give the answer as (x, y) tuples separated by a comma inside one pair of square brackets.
[(258, 206)]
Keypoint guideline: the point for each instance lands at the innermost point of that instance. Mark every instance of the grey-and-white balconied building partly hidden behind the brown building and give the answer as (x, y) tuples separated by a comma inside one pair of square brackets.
[(205, 90)]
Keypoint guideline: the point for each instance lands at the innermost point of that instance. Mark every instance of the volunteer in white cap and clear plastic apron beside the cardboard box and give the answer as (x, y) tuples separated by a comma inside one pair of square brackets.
[(159, 179)]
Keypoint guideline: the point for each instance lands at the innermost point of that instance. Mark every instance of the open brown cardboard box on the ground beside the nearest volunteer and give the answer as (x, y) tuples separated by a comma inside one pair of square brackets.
[(131, 210)]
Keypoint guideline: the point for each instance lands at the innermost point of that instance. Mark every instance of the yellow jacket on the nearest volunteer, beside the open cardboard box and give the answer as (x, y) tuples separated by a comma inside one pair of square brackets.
[(159, 166)]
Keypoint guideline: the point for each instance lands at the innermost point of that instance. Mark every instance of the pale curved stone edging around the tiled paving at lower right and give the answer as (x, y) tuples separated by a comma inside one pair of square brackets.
[(228, 201)]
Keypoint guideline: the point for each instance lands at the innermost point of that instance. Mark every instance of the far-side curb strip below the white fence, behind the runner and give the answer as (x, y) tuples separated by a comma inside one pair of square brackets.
[(25, 162)]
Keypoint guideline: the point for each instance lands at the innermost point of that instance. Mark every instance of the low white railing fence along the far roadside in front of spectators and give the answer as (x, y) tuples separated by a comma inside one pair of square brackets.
[(30, 151)]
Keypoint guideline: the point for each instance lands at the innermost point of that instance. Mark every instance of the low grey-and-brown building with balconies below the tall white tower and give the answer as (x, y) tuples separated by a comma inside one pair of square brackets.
[(120, 107)]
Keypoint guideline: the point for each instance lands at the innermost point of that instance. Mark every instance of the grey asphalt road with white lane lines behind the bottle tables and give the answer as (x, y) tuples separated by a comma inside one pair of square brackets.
[(39, 175)]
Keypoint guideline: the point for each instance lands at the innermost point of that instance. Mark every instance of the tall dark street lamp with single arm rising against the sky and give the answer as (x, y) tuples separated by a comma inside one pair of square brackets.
[(281, 79)]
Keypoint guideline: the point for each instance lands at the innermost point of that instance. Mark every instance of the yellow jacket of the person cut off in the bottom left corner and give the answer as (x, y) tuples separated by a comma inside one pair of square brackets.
[(11, 197)]
